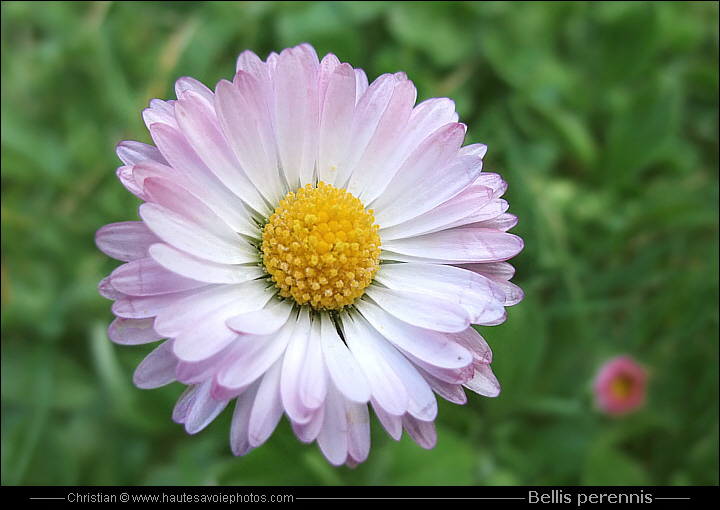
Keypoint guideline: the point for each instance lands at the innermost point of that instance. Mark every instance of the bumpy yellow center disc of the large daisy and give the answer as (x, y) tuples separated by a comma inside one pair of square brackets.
[(321, 247)]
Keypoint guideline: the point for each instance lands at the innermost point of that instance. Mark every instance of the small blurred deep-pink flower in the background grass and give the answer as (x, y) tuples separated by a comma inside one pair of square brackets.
[(620, 386)]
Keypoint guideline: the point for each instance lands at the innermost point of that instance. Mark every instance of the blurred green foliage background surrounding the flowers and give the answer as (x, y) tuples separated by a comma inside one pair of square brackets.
[(603, 118)]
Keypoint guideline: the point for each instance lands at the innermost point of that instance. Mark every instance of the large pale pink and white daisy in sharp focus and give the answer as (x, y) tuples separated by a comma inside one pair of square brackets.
[(310, 243)]
